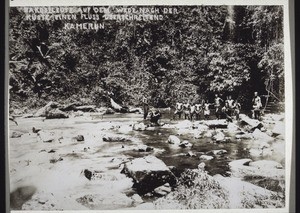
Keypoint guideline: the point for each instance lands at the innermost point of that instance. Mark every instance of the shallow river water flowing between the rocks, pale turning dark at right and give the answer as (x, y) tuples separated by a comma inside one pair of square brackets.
[(41, 176)]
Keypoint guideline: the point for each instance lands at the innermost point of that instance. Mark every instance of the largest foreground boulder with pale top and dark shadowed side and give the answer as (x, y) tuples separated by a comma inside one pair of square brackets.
[(148, 173)]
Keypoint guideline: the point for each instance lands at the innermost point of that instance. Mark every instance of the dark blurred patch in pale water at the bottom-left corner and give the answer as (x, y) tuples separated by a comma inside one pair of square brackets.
[(20, 196)]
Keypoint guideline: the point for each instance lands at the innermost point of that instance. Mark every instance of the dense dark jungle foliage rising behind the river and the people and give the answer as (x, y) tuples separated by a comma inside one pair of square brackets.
[(189, 55)]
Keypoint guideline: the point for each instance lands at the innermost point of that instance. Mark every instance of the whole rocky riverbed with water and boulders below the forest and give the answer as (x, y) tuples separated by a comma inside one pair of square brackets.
[(92, 161)]
